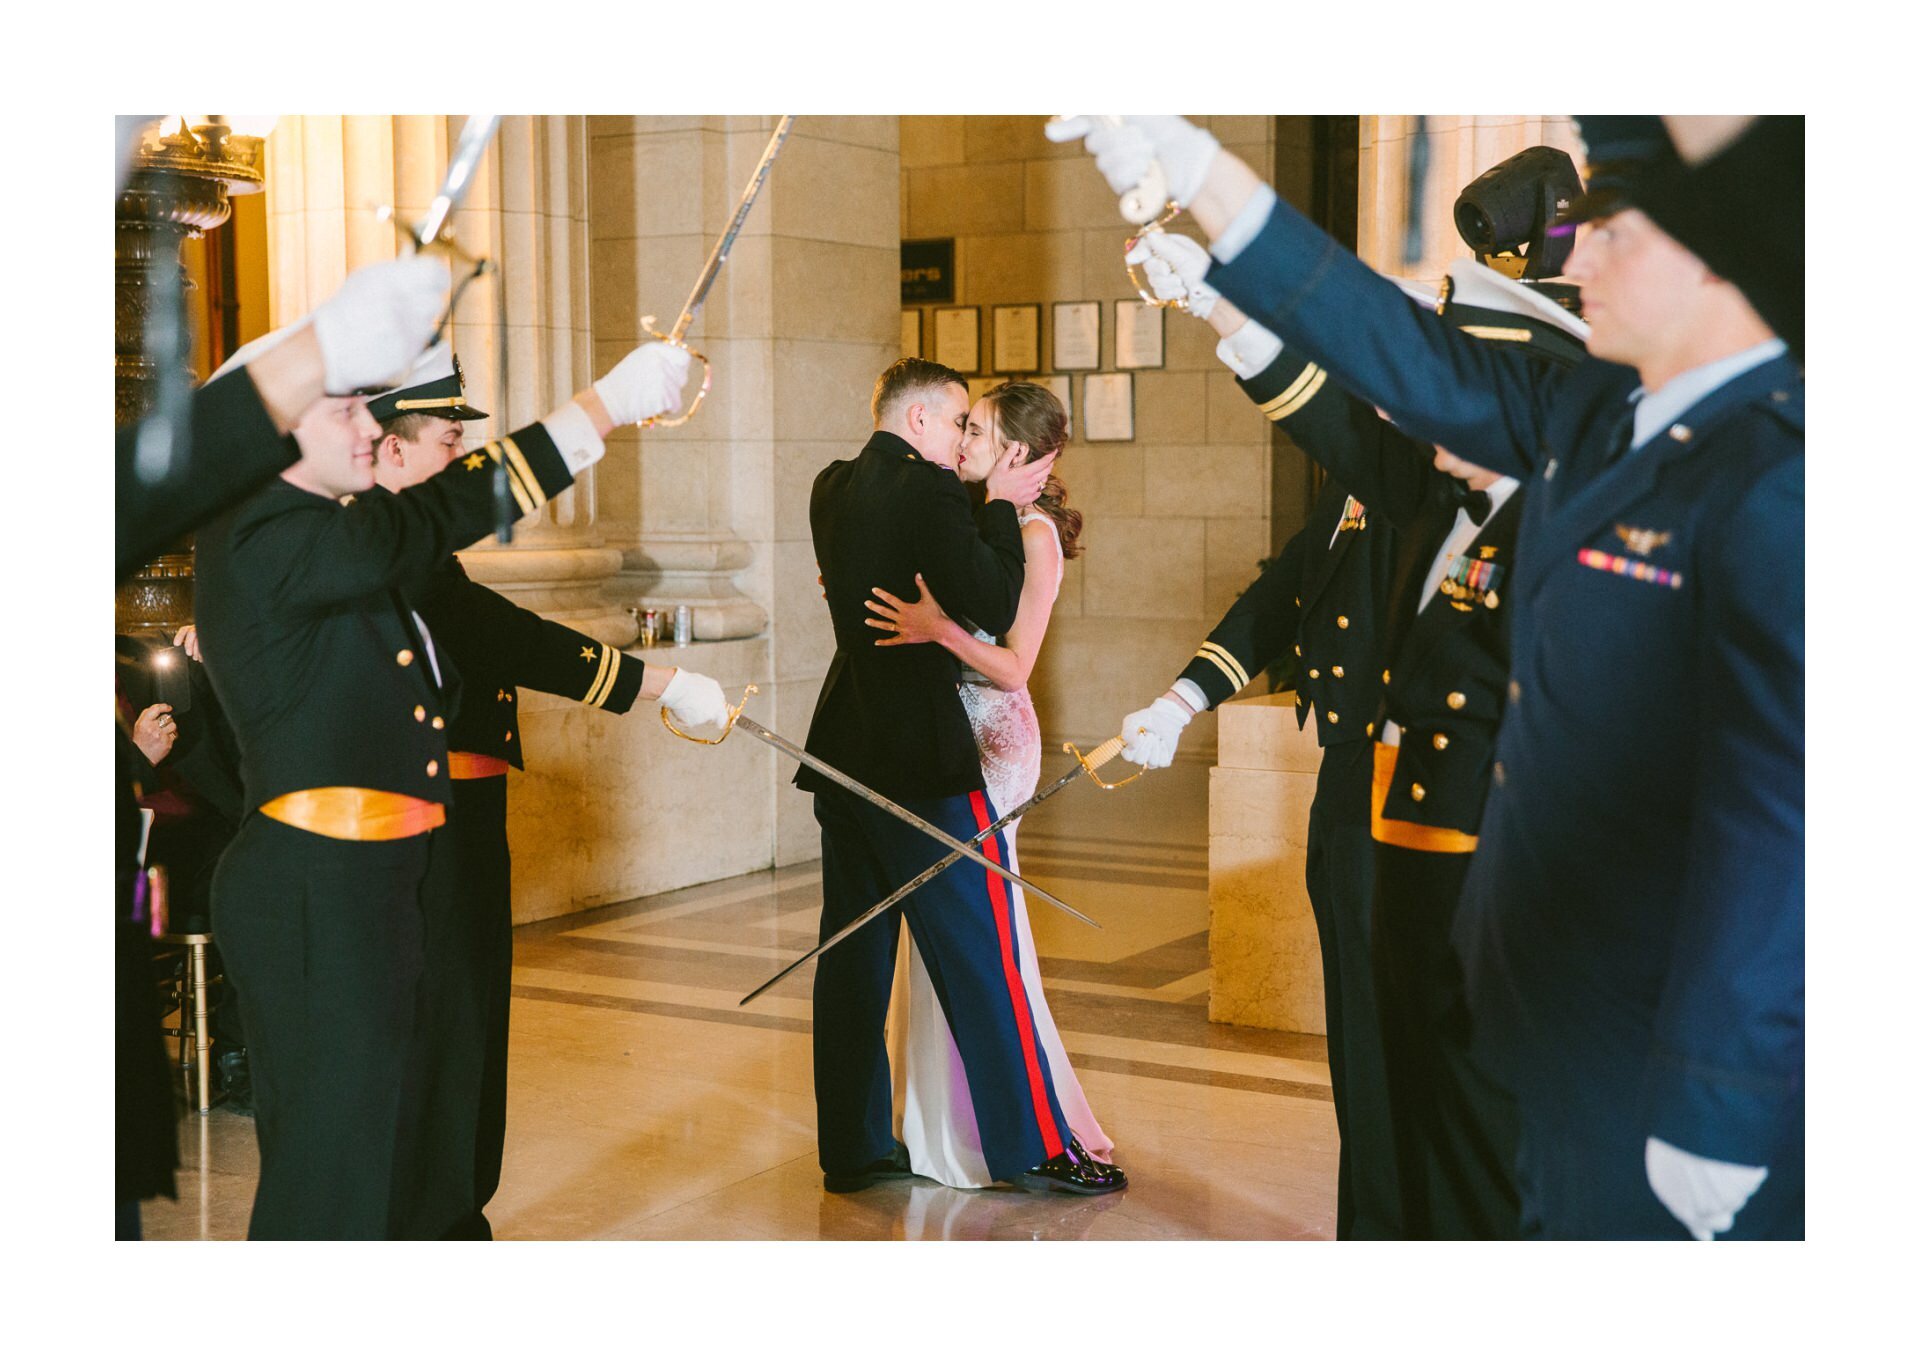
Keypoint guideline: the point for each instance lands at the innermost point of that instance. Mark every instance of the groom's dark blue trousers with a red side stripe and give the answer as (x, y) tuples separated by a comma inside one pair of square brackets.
[(965, 929)]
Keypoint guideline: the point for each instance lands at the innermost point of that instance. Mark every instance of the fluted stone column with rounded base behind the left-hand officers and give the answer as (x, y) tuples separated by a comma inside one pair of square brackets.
[(523, 333)]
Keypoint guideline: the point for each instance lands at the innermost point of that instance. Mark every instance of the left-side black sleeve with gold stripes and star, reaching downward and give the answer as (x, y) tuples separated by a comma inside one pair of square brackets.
[(527, 648)]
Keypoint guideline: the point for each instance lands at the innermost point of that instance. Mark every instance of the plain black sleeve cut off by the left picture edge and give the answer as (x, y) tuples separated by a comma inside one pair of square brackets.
[(233, 450)]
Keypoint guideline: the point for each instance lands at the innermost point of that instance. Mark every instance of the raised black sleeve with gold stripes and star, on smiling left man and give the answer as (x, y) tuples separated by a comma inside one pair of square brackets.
[(320, 560)]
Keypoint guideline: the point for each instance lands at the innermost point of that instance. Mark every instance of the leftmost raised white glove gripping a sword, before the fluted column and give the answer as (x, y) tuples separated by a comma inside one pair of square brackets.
[(379, 322)]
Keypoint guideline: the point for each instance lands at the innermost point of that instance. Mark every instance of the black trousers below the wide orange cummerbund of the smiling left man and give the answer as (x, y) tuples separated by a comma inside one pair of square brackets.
[(327, 946)]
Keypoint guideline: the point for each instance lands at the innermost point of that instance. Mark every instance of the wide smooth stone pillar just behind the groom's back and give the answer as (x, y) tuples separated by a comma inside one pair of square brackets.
[(800, 326)]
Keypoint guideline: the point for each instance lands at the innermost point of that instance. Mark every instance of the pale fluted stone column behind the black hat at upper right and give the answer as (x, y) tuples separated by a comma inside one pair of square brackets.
[(1458, 153)]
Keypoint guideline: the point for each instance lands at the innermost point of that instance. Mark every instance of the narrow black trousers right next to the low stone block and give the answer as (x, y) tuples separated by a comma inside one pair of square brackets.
[(1341, 890)]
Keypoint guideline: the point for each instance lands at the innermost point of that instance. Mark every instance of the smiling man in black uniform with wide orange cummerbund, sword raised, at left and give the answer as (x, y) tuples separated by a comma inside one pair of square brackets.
[(341, 700)]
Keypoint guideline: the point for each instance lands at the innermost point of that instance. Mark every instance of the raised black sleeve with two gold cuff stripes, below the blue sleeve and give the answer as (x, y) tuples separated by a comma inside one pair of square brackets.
[(1385, 470)]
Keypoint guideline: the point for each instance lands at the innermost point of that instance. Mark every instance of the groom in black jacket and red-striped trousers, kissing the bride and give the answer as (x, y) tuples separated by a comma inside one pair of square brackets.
[(892, 719)]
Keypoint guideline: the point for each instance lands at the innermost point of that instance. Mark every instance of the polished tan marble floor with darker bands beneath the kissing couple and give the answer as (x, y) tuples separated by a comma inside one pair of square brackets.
[(648, 1105)]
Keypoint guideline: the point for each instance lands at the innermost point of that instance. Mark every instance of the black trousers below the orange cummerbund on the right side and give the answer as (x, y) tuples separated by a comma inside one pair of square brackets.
[(1456, 1130)]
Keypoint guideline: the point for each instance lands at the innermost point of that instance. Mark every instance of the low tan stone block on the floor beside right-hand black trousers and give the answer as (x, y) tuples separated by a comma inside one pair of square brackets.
[(1262, 938)]
